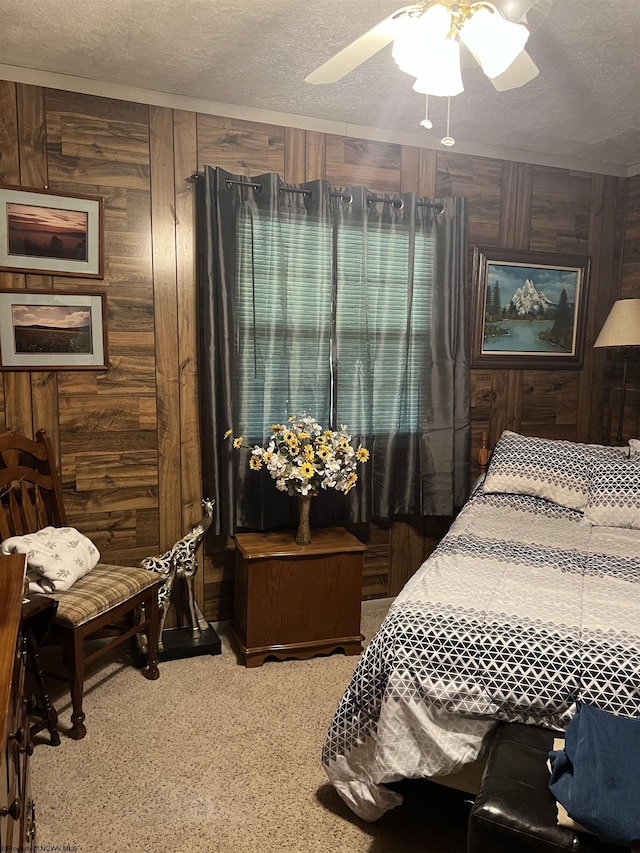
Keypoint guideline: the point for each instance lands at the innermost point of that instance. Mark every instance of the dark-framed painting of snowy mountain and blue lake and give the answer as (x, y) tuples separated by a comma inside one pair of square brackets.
[(528, 309)]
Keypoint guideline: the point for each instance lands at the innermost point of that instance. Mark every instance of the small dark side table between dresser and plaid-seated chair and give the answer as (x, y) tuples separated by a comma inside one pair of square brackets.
[(38, 613)]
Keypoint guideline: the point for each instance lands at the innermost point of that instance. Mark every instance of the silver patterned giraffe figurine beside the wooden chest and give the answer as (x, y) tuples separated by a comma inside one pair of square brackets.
[(180, 562)]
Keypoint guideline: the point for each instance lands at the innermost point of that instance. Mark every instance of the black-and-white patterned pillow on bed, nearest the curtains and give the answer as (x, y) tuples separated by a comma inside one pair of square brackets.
[(552, 469)]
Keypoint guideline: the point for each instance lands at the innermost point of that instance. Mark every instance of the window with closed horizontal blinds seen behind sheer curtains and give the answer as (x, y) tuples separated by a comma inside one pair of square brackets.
[(341, 349)]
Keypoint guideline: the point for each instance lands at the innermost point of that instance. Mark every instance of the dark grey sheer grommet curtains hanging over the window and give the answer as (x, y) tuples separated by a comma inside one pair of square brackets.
[(345, 305)]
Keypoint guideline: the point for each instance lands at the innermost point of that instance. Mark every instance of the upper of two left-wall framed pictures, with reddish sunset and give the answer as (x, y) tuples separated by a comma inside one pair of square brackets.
[(51, 233)]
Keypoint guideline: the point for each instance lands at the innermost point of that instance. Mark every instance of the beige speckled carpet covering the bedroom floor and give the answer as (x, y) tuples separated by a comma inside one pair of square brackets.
[(217, 758)]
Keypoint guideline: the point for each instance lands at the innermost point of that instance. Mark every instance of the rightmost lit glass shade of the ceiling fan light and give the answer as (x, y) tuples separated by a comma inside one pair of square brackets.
[(494, 41)]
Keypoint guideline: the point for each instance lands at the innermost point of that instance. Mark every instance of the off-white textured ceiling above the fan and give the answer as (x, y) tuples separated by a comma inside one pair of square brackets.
[(584, 105)]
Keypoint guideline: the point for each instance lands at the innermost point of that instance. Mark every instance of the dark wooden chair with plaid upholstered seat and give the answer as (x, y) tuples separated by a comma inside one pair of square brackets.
[(30, 499)]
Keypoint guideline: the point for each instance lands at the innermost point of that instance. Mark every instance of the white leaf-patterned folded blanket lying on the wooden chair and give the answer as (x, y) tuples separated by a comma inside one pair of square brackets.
[(56, 557)]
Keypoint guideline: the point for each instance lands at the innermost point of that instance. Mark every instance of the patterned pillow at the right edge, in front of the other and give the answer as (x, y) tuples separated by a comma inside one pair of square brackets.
[(614, 493)]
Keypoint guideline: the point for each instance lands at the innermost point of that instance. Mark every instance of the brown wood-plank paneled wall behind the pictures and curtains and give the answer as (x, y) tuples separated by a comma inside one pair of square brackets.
[(128, 438)]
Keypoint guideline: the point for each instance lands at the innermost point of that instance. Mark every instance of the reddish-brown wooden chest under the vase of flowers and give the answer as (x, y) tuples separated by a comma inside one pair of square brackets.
[(297, 600)]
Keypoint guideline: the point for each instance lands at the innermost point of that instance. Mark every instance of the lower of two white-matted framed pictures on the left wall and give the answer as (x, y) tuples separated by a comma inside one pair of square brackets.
[(45, 330)]
